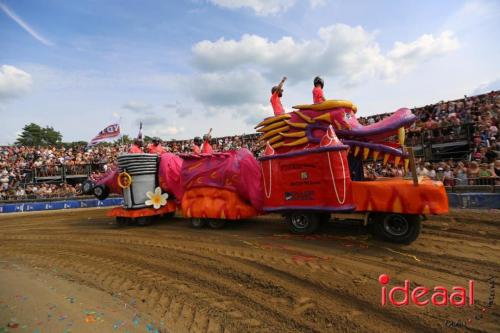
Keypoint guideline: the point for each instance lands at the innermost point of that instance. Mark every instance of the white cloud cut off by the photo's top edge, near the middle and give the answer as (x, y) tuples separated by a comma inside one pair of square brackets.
[(260, 7)]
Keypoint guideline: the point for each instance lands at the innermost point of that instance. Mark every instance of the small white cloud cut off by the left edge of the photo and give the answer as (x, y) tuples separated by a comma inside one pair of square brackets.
[(14, 82)]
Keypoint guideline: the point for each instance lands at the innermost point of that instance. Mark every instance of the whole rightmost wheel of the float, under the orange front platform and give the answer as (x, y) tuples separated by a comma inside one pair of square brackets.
[(397, 228)]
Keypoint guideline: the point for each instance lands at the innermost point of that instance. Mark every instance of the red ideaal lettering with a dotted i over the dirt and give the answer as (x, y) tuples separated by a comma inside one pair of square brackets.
[(440, 296)]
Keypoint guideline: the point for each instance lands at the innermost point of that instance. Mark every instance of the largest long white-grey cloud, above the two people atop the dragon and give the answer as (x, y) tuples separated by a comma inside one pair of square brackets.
[(351, 53)]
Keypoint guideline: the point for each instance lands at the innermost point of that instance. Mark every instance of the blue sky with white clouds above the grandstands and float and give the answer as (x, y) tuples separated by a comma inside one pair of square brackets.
[(182, 67)]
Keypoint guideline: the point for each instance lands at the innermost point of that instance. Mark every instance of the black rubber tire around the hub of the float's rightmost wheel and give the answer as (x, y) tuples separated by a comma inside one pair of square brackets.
[(414, 227)]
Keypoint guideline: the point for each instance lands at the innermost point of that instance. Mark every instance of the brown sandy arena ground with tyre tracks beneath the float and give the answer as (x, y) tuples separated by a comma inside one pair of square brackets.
[(76, 271)]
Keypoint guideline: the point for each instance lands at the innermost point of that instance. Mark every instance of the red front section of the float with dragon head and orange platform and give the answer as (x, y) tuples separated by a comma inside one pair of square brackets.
[(313, 166)]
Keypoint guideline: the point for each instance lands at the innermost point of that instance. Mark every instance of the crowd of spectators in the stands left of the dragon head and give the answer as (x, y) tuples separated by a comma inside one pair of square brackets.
[(19, 164)]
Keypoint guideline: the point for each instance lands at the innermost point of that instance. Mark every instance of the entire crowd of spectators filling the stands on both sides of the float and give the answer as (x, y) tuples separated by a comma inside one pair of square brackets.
[(440, 122)]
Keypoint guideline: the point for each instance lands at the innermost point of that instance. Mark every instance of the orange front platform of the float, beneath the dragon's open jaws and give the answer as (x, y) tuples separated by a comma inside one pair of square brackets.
[(400, 196)]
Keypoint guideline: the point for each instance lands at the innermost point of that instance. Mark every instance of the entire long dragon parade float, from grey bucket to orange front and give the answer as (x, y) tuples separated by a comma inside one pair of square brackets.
[(311, 168)]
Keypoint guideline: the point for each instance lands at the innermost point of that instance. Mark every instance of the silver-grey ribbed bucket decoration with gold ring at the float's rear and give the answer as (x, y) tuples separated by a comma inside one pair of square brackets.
[(138, 175)]
